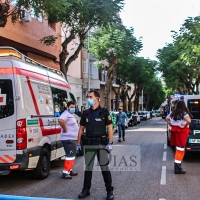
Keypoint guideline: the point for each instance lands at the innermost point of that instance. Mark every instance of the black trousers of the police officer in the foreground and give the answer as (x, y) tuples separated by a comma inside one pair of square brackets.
[(102, 156)]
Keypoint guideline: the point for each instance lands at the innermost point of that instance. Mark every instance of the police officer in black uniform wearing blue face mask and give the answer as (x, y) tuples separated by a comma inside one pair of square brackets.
[(94, 120)]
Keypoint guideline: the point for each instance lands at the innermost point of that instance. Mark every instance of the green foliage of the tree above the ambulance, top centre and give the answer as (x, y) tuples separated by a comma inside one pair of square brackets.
[(80, 16)]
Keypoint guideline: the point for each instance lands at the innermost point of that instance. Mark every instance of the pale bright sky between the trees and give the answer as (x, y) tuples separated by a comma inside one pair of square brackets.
[(153, 20)]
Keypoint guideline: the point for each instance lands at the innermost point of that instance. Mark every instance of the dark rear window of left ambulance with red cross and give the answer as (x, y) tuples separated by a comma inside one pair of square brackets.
[(6, 98)]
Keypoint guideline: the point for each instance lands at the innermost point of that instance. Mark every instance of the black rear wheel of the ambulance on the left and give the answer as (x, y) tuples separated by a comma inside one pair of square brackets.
[(43, 166)]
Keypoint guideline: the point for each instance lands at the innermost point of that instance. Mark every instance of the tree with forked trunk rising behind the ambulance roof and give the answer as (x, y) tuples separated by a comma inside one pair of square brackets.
[(78, 20)]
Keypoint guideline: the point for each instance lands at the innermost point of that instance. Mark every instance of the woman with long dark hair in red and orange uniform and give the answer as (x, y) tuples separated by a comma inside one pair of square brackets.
[(179, 119)]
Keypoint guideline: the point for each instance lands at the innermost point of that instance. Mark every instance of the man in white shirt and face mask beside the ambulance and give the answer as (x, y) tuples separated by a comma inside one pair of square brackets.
[(69, 135)]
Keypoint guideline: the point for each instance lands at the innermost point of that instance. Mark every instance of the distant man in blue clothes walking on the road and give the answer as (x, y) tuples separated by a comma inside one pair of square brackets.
[(121, 117)]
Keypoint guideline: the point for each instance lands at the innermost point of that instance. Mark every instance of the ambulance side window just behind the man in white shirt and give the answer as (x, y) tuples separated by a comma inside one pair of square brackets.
[(60, 100)]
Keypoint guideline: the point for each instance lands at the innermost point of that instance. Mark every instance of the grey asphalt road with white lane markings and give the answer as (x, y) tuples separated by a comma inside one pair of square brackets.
[(142, 169)]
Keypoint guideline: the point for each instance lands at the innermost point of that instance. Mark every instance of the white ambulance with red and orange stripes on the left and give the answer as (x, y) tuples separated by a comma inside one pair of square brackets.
[(32, 97)]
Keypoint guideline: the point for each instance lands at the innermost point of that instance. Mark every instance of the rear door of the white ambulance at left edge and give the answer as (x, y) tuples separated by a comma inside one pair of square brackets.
[(7, 113)]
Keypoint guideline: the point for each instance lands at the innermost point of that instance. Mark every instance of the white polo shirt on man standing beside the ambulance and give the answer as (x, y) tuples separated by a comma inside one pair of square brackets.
[(72, 126)]
